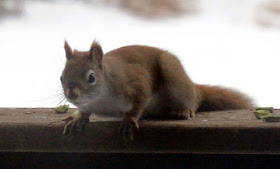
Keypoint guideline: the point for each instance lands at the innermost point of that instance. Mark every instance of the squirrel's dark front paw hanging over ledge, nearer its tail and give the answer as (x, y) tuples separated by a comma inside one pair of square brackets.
[(127, 130)]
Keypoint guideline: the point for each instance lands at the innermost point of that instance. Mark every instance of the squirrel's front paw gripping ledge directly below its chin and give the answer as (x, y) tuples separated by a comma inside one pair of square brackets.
[(75, 124)]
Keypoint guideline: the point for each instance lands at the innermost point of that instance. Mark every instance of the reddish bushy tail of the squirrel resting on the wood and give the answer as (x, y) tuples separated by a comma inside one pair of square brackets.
[(214, 98)]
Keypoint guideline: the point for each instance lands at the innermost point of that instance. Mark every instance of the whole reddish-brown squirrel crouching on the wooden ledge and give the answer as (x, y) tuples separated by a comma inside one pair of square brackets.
[(137, 81)]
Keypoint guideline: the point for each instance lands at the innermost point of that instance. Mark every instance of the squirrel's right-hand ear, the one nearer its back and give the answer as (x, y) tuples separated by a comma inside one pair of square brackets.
[(96, 53)]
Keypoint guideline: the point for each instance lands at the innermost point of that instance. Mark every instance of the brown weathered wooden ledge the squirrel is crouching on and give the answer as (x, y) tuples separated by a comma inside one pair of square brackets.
[(40, 130)]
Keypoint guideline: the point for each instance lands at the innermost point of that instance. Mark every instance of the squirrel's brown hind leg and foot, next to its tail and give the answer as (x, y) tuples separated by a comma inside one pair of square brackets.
[(180, 93)]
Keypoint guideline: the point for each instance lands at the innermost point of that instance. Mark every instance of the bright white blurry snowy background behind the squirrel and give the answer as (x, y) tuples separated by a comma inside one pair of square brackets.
[(233, 43)]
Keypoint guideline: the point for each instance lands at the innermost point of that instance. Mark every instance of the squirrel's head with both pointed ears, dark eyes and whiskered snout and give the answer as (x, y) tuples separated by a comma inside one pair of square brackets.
[(83, 76)]
